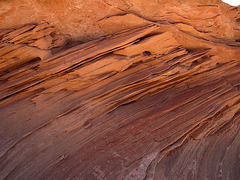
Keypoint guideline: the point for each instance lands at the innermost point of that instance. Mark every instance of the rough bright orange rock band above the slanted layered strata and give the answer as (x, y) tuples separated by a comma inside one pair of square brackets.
[(86, 20)]
